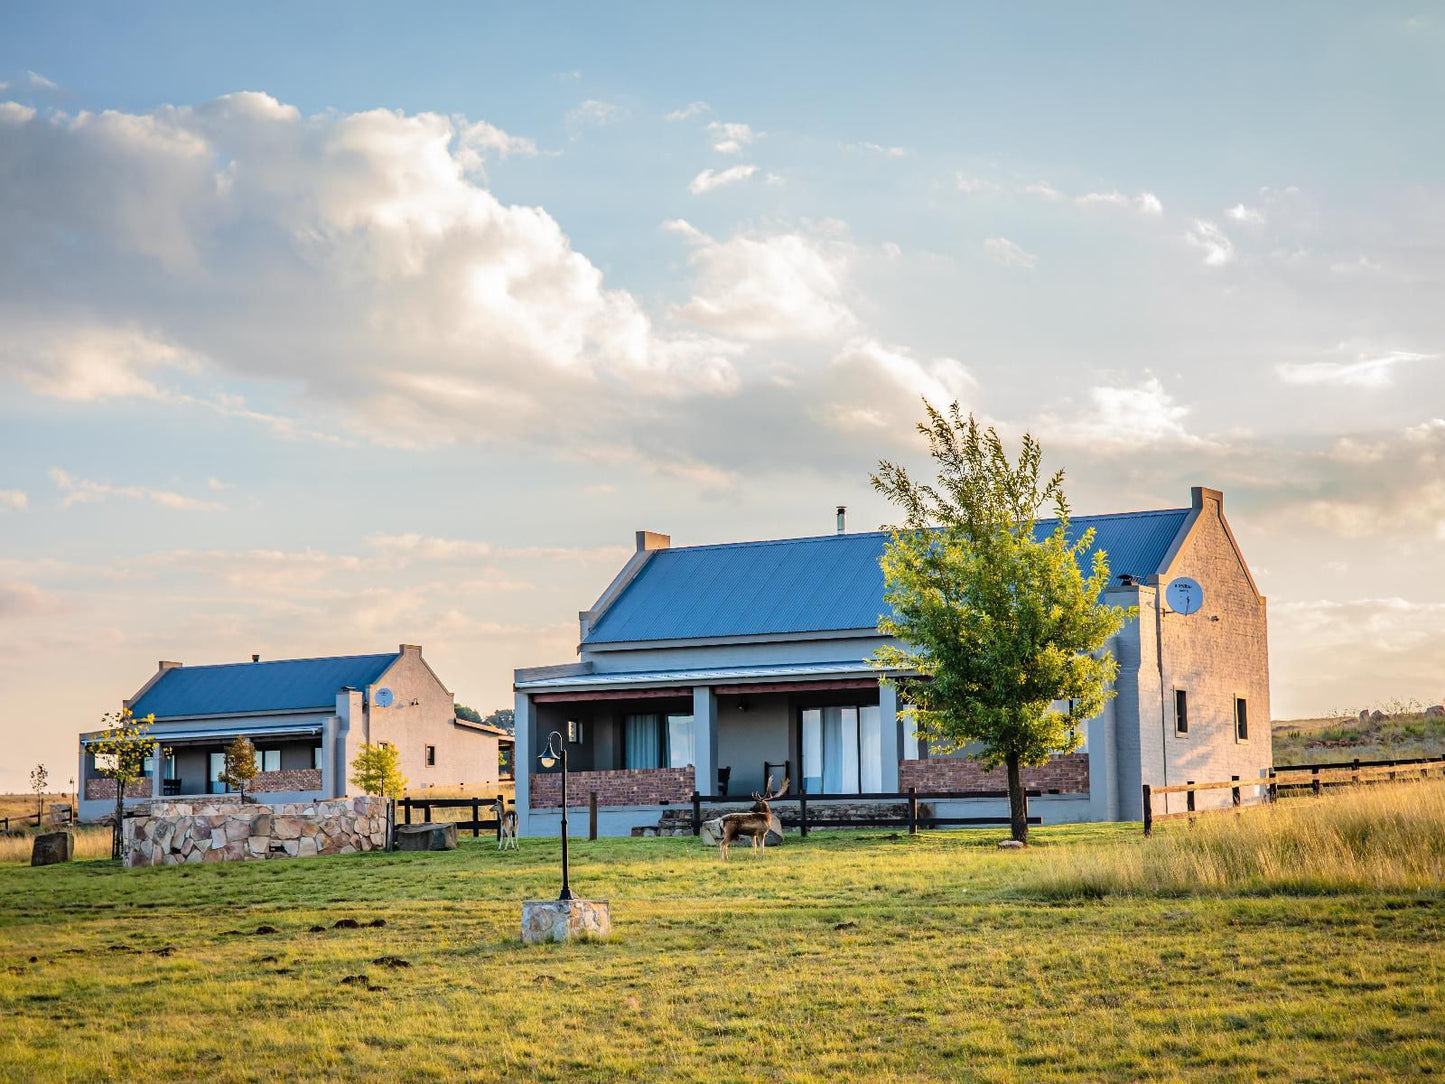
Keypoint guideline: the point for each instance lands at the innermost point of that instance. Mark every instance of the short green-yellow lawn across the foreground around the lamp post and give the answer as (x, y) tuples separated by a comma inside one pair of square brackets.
[(852, 956)]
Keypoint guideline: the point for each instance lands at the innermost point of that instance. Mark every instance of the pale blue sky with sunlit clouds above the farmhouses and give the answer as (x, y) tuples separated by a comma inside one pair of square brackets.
[(332, 327)]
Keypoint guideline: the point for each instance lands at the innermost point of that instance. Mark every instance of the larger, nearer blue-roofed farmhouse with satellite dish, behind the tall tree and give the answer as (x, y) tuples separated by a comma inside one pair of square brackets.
[(713, 667)]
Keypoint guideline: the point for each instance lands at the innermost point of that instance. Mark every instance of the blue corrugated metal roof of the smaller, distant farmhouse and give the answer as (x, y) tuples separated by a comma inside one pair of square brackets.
[(243, 687)]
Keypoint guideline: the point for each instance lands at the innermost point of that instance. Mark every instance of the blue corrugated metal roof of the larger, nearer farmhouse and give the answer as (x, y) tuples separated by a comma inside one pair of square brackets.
[(817, 585)]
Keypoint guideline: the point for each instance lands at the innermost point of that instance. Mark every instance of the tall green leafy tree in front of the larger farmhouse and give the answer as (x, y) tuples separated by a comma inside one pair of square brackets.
[(995, 627)]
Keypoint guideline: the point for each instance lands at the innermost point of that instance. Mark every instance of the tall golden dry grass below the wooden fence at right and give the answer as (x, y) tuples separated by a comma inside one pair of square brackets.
[(1384, 838)]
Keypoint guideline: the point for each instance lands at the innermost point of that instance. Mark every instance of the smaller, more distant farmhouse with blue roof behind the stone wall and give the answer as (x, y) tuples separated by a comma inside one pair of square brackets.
[(307, 719)]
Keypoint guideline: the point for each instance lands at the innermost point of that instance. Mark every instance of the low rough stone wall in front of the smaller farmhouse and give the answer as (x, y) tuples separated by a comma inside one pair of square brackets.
[(222, 829)]
